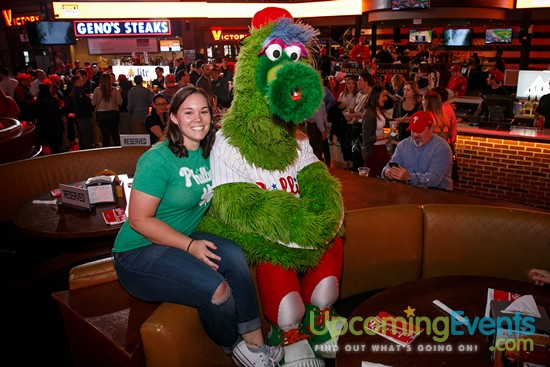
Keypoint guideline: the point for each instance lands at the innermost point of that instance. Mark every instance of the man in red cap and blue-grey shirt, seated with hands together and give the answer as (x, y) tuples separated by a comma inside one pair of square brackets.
[(423, 153)]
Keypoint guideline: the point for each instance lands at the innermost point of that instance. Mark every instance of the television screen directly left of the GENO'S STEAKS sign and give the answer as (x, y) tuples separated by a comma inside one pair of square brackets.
[(51, 33)]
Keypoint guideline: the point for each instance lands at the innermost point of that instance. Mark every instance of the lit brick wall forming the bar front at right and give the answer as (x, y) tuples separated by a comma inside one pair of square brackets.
[(508, 170)]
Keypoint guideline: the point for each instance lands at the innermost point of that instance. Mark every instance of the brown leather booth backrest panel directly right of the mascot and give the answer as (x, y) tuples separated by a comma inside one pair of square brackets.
[(382, 248)]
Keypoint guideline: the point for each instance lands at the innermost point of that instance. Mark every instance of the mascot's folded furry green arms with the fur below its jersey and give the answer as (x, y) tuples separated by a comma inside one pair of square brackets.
[(260, 220)]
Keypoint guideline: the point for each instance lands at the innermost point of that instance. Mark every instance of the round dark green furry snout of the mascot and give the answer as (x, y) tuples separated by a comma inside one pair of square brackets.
[(294, 91)]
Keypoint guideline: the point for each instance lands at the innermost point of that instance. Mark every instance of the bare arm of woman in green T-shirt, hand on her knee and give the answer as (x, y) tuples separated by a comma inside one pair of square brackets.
[(141, 218)]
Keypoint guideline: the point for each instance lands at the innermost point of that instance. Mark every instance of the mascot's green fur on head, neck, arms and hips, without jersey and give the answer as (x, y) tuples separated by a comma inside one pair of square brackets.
[(273, 93)]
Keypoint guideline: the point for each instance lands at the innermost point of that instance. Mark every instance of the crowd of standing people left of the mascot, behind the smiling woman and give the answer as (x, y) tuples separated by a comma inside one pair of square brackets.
[(84, 107)]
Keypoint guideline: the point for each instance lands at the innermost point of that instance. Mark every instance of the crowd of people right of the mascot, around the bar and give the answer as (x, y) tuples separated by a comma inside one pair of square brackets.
[(365, 104)]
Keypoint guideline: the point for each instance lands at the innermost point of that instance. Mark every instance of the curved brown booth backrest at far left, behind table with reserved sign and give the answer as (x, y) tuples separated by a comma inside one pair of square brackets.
[(25, 179)]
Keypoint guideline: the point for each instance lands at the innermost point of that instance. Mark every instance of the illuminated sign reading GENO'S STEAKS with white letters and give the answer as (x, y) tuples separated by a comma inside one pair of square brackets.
[(122, 28)]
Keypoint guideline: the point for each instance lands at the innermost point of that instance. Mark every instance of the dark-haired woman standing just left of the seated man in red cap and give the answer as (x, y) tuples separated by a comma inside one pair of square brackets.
[(374, 149)]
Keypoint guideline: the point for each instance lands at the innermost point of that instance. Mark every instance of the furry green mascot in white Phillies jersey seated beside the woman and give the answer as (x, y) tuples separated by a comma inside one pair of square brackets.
[(272, 195)]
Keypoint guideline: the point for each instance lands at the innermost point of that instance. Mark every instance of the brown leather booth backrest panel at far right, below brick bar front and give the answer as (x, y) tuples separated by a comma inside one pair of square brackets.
[(483, 240)]
